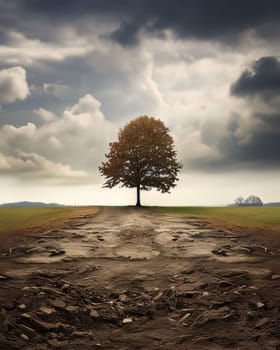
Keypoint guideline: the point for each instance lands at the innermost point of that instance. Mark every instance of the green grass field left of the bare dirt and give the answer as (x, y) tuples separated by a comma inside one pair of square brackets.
[(24, 219)]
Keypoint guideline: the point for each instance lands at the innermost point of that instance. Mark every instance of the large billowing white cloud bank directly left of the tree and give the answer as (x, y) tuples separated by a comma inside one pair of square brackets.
[(69, 147)]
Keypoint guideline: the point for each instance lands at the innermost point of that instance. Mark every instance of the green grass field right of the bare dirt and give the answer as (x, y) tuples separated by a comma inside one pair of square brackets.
[(252, 217)]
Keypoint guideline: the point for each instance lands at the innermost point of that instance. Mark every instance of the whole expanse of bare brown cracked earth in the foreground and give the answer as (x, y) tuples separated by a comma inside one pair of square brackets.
[(133, 279)]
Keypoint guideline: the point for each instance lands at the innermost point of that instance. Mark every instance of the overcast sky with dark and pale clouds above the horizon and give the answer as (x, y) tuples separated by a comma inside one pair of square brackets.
[(73, 72)]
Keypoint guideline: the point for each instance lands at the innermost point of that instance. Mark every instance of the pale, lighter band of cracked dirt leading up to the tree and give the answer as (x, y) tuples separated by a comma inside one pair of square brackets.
[(136, 234)]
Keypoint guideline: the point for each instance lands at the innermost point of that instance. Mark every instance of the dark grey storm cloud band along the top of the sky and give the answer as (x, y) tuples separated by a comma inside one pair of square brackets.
[(204, 19)]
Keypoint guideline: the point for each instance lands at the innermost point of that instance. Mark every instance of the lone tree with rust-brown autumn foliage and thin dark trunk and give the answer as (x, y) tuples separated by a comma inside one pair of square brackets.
[(142, 158)]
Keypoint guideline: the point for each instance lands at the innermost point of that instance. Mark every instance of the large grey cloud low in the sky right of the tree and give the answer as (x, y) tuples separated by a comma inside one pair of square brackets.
[(260, 151)]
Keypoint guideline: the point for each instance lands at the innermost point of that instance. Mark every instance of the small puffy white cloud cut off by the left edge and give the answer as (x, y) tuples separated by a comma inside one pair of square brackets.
[(13, 85)]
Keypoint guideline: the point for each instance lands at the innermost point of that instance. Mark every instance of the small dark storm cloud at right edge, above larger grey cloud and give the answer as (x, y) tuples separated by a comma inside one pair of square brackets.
[(262, 79)]
